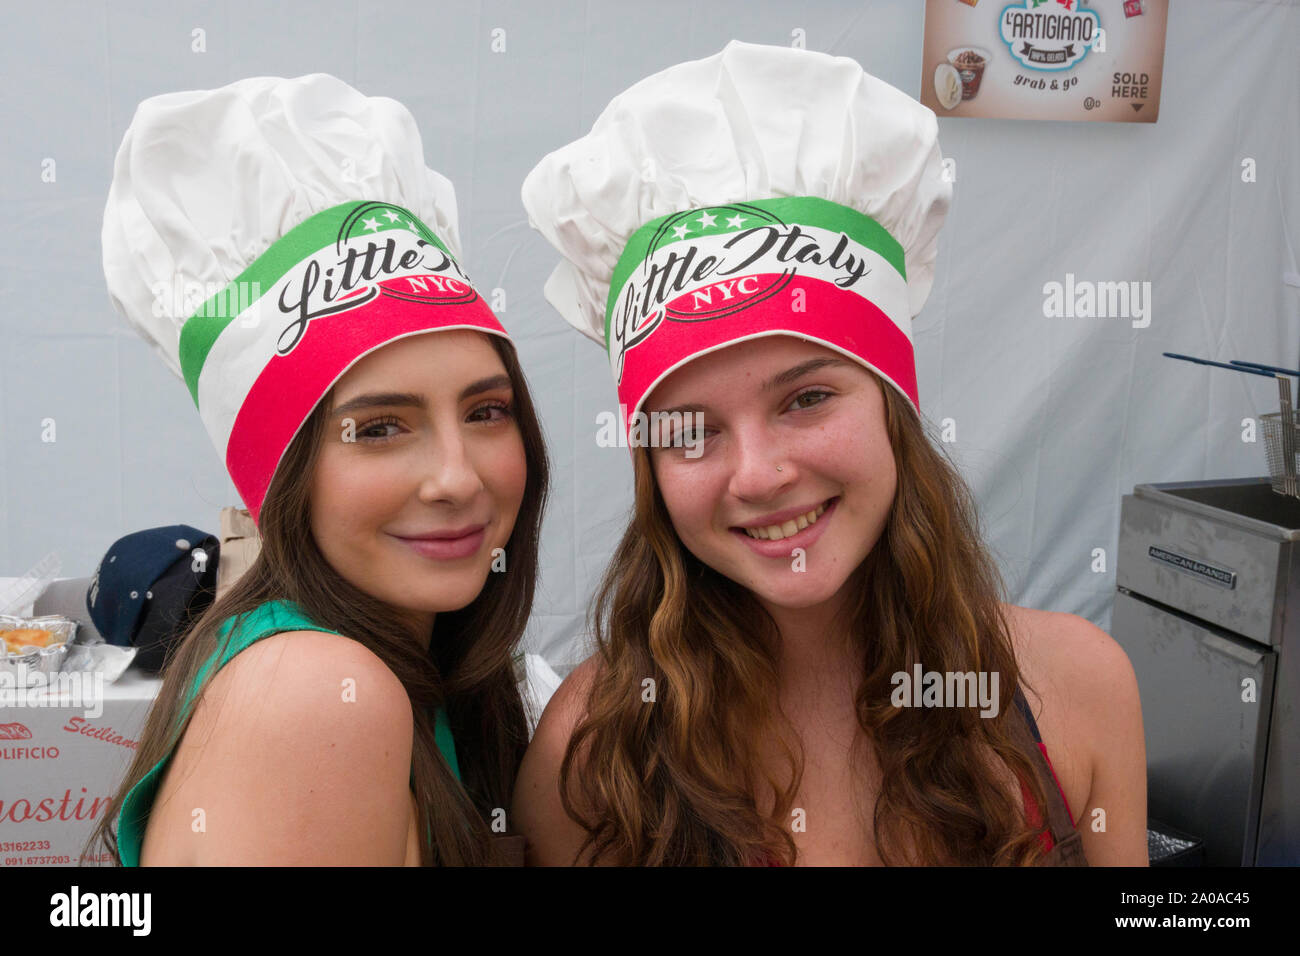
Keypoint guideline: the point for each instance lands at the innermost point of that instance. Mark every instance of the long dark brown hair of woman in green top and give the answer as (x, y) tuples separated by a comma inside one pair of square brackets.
[(470, 668)]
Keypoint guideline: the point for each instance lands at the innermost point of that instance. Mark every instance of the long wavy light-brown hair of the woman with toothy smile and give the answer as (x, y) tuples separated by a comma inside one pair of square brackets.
[(674, 782)]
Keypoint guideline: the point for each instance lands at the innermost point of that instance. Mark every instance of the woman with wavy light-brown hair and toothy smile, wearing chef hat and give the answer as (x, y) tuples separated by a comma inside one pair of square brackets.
[(749, 236)]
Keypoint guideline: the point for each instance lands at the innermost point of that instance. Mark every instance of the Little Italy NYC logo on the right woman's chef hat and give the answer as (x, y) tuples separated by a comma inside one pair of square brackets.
[(710, 263)]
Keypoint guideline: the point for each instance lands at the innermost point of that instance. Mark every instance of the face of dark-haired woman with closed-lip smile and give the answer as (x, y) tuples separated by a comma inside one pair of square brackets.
[(422, 443)]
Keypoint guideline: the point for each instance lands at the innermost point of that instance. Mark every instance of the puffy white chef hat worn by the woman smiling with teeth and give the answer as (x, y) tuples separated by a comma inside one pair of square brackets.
[(762, 191)]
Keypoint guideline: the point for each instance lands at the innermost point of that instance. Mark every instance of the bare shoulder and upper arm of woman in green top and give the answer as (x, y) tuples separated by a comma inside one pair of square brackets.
[(304, 756)]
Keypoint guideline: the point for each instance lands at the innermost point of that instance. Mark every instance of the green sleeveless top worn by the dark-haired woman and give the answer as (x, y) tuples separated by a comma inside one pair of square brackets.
[(262, 622)]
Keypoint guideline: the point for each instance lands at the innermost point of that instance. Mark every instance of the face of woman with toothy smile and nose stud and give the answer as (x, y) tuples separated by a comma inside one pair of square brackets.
[(790, 430)]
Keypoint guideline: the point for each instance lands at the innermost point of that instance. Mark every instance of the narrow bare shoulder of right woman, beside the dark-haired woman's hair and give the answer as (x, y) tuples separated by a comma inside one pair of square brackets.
[(553, 837)]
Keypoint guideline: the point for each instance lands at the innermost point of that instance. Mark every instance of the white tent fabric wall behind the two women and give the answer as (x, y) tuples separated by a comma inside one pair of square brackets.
[(1051, 419)]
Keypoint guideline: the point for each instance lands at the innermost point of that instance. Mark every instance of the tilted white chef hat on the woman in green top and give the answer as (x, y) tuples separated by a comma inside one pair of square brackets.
[(266, 236)]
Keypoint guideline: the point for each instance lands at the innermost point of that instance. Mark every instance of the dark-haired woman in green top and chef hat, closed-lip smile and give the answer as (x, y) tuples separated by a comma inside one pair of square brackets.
[(354, 698)]
